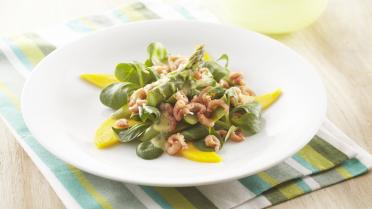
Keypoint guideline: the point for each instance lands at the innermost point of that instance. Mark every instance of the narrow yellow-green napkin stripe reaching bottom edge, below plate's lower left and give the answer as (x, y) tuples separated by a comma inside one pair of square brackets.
[(89, 187)]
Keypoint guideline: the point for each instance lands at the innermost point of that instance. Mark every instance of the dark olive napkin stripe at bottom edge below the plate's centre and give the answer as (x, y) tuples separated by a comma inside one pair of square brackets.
[(174, 198)]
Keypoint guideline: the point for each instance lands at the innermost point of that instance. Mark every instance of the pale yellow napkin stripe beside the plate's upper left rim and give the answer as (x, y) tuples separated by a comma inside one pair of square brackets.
[(29, 48)]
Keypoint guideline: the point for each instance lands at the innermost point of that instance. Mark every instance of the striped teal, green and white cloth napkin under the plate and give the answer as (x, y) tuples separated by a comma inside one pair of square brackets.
[(331, 157)]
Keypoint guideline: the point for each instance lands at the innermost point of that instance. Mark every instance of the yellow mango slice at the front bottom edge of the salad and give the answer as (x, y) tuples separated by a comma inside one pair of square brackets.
[(192, 153)]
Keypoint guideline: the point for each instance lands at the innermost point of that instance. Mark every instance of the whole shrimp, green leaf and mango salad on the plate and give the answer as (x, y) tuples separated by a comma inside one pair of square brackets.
[(178, 105)]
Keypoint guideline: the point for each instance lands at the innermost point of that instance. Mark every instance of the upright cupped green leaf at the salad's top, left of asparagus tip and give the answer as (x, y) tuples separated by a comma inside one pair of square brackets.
[(157, 54)]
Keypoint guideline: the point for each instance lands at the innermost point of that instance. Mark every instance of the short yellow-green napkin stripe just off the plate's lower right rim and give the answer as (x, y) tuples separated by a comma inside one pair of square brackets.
[(314, 158)]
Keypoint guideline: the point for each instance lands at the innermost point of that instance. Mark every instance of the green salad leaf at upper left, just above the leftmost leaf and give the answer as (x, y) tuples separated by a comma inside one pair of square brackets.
[(134, 73)]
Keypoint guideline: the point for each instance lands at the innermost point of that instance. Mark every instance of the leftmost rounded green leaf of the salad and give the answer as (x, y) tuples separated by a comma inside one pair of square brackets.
[(117, 94)]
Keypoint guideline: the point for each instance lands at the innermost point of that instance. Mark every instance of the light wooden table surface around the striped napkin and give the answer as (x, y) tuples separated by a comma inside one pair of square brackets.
[(339, 45)]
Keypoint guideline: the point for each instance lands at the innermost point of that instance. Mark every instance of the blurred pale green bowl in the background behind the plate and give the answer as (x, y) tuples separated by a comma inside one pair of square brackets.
[(269, 16)]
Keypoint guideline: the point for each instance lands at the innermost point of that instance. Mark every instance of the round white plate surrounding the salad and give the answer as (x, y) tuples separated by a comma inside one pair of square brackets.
[(63, 112)]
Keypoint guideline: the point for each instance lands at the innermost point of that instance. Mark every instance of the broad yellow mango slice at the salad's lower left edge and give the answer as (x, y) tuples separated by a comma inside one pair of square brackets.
[(105, 136)]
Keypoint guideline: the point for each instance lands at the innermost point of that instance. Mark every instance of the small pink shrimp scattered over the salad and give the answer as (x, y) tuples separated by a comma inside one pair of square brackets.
[(201, 105)]
